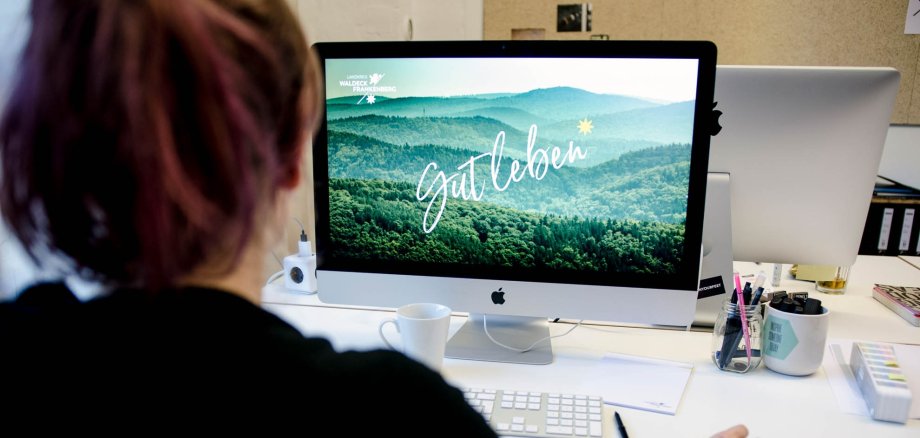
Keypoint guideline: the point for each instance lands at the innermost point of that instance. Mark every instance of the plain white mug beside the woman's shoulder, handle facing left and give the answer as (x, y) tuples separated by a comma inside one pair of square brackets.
[(423, 329)]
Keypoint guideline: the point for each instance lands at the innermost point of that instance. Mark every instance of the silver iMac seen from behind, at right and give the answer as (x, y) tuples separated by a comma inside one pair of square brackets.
[(793, 167)]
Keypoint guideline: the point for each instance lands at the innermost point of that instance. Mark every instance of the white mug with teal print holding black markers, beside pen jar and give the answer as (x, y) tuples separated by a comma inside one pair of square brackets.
[(794, 343)]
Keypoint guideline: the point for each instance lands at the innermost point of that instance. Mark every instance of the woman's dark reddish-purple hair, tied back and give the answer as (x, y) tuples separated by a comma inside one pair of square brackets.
[(141, 137)]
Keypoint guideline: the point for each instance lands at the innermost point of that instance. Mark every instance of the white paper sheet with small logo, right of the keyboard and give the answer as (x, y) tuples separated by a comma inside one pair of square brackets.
[(643, 383)]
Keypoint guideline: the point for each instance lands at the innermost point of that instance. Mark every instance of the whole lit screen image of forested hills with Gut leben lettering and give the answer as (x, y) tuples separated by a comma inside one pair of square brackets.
[(538, 164)]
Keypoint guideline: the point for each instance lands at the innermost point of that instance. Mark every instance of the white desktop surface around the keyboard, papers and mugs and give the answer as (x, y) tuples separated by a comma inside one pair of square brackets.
[(770, 404)]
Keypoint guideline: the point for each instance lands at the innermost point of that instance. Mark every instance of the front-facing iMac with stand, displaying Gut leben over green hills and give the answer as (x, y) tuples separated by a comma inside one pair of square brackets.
[(515, 181)]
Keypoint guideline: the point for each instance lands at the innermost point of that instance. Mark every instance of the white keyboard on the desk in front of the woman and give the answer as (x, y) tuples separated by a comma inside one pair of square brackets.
[(539, 414)]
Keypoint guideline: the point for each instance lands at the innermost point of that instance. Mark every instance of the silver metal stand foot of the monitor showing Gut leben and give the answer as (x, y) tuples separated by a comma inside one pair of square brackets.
[(471, 341)]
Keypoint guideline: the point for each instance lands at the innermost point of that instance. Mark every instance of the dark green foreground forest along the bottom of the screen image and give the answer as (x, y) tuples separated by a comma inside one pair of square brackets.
[(378, 220)]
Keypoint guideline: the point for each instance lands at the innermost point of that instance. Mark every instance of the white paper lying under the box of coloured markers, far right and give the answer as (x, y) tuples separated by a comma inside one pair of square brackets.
[(843, 384)]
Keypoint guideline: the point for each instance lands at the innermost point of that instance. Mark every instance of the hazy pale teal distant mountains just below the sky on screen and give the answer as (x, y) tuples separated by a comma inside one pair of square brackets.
[(473, 122)]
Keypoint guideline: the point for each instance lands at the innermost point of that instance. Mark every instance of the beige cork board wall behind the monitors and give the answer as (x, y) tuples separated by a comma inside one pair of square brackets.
[(767, 32)]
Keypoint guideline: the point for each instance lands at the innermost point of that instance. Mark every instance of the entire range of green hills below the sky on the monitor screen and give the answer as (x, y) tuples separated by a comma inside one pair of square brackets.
[(622, 208)]
